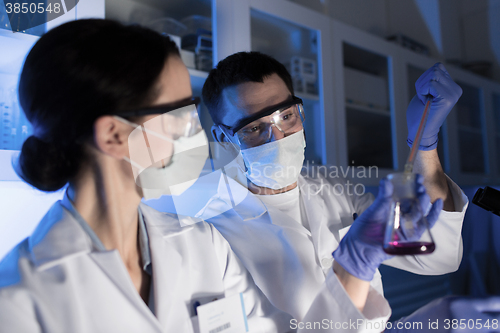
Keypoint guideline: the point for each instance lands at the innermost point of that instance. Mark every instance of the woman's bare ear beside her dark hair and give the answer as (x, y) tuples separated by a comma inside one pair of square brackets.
[(111, 136)]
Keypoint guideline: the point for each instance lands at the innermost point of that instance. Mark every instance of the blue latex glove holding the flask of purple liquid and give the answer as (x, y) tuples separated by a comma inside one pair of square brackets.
[(360, 252)]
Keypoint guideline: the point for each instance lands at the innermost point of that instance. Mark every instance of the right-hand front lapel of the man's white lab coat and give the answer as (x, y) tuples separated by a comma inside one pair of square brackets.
[(314, 206)]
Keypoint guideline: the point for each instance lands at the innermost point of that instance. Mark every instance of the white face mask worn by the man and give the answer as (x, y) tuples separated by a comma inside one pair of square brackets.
[(276, 164)]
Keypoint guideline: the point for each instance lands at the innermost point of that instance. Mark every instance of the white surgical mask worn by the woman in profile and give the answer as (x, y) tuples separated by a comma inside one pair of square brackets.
[(150, 149)]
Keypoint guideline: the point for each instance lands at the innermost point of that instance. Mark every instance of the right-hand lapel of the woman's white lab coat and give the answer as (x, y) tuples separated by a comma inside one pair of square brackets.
[(167, 271)]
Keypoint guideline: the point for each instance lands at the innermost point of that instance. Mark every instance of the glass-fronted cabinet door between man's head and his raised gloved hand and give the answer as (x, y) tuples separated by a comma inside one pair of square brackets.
[(367, 119)]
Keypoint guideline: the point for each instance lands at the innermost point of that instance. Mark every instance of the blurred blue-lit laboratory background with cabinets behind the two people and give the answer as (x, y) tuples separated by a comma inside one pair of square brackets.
[(354, 63)]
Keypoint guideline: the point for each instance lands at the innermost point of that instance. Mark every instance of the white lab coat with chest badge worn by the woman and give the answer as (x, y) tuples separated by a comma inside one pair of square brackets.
[(54, 281)]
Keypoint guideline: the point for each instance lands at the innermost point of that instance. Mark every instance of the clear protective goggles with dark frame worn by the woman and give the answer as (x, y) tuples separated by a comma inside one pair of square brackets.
[(175, 120)]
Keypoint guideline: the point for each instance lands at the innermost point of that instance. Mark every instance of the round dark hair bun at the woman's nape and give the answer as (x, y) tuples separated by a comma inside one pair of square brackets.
[(47, 165)]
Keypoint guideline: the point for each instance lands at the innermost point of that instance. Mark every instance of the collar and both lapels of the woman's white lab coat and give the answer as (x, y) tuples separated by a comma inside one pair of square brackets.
[(60, 227)]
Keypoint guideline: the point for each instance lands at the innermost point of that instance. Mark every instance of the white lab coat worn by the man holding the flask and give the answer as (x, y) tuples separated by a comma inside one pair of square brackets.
[(251, 226)]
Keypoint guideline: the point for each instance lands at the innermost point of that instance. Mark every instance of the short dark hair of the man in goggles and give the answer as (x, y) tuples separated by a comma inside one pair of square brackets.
[(239, 68)]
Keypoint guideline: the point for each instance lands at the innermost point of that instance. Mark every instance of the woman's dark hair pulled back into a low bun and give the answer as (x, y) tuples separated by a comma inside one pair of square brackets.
[(74, 74)]
